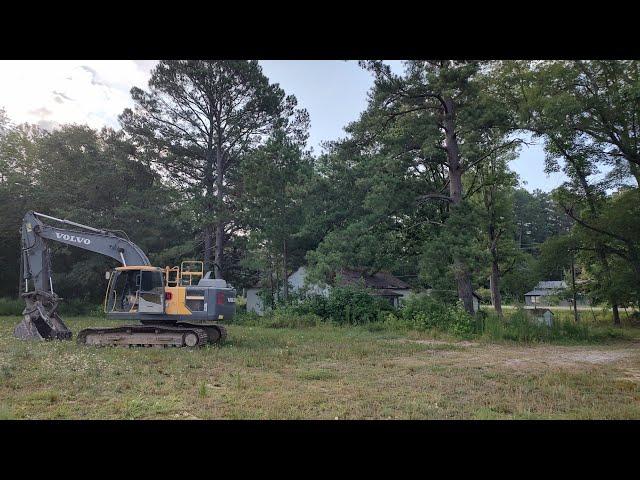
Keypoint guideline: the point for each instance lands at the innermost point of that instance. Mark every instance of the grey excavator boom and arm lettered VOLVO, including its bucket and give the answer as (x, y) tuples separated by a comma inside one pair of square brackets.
[(41, 320)]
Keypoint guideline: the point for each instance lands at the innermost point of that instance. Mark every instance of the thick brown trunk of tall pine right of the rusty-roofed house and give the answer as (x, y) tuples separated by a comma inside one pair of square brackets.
[(463, 279)]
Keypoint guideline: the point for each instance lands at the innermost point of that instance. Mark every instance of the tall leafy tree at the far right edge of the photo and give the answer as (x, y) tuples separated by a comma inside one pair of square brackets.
[(587, 114)]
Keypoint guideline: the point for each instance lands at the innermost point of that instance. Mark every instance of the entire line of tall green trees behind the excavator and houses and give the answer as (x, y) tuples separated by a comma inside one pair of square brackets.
[(212, 163)]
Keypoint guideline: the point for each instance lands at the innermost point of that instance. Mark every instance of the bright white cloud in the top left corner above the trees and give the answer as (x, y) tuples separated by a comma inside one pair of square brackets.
[(55, 92)]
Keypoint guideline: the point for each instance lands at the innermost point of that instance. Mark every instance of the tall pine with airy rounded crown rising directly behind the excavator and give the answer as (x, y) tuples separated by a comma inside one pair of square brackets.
[(196, 122)]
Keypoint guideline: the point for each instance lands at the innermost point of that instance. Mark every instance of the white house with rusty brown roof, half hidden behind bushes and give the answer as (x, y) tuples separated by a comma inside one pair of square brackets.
[(382, 284)]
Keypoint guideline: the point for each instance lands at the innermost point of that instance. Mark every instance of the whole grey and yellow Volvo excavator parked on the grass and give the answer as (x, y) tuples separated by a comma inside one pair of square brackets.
[(175, 306)]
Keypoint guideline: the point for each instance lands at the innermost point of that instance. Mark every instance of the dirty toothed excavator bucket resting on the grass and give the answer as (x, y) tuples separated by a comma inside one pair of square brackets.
[(41, 321)]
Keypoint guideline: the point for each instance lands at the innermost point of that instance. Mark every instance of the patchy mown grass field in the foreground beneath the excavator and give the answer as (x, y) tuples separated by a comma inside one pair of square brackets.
[(321, 372)]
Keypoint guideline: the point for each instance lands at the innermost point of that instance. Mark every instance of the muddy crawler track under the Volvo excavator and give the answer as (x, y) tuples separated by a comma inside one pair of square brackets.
[(144, 336)]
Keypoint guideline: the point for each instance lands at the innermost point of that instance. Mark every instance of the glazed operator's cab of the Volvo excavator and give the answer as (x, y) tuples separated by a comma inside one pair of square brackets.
[(135, 289)]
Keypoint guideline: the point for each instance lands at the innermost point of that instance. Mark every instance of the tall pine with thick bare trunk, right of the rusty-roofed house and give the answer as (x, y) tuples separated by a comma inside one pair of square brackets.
[(462, 108)]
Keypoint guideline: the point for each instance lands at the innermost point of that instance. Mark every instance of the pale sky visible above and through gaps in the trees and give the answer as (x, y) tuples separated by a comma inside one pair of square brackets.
[(94, 92)]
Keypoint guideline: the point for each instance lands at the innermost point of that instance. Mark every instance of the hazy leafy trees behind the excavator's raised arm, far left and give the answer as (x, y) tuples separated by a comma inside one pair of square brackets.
[(88, 176)]
